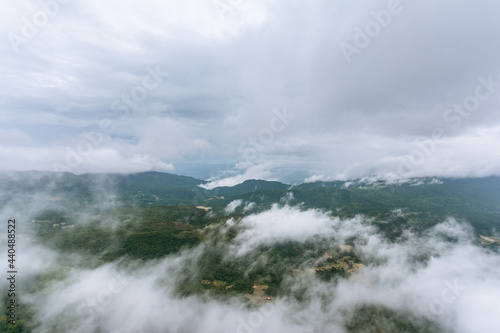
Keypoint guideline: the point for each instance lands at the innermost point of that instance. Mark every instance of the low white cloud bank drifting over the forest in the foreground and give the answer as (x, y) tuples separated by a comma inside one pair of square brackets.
[(439, 278)]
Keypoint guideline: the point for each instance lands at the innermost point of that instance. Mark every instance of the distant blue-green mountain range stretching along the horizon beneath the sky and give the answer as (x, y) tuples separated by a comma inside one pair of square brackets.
[(419, 200)]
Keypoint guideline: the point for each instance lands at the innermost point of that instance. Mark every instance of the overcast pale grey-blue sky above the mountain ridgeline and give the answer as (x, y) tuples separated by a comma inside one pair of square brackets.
[(229, 90)]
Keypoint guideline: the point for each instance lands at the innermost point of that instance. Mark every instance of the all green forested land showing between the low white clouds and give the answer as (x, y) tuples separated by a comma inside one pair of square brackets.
[(157, 216)]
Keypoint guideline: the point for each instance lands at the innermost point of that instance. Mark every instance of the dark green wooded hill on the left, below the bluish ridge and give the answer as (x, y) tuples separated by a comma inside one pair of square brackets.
[(138, 233)]
